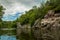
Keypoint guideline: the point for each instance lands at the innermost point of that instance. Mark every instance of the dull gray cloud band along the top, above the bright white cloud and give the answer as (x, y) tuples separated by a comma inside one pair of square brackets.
[(28, 3)]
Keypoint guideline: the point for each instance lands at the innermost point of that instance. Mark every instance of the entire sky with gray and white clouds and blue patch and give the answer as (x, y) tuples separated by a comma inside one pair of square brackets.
[(14, 8)]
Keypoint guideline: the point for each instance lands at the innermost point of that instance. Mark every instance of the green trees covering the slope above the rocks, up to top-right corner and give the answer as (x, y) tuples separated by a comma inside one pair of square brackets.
[(38, 12)]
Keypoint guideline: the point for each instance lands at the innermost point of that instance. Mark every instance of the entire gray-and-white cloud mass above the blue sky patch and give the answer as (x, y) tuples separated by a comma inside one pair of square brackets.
[(11, 5)]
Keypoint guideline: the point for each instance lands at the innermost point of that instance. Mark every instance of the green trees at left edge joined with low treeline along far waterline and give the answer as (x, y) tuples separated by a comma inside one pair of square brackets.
[(5, 24)]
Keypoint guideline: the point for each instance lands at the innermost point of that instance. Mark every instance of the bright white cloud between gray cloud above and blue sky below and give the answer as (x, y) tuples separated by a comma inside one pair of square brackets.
[(16, 7)]
